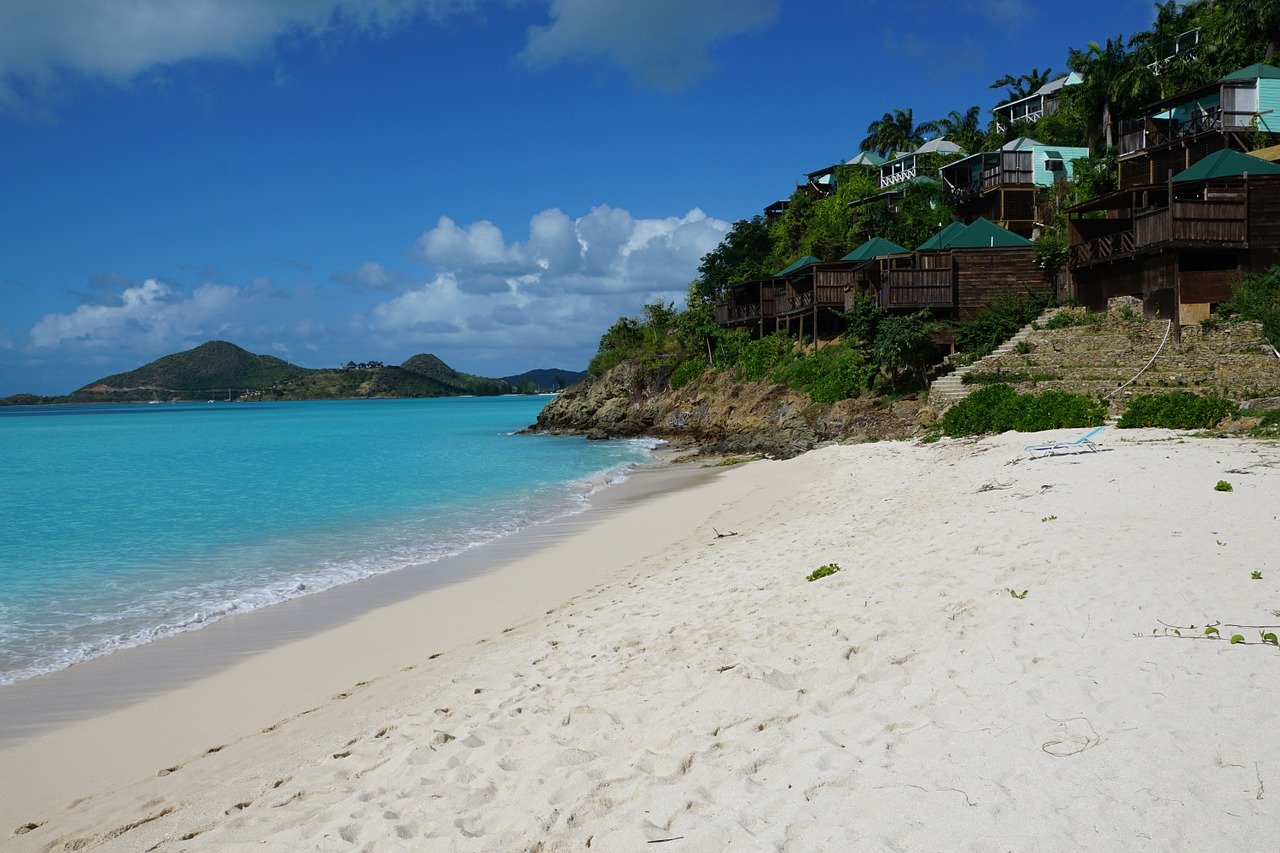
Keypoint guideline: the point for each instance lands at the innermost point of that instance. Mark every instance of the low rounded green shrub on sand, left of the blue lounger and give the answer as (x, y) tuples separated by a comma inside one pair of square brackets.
[(998, 409)]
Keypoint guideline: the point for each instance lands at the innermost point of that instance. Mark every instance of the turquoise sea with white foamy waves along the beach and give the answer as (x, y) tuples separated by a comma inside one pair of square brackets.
[(122, 524)]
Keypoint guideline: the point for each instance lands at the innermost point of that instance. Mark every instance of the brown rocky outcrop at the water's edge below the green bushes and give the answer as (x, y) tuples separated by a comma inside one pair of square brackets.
[(719, 413)]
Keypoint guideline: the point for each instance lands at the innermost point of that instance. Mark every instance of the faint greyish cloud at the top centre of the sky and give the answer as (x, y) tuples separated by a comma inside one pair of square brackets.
[(664, 43)]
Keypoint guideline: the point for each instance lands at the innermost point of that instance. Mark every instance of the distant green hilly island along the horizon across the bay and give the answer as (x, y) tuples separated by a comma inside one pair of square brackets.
[(222, 371)]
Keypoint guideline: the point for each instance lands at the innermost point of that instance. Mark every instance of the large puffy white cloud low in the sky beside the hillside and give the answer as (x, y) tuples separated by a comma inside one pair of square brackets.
[(552, 294)]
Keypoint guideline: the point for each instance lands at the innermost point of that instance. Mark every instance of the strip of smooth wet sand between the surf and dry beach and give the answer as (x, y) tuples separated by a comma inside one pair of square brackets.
[(130, 674)]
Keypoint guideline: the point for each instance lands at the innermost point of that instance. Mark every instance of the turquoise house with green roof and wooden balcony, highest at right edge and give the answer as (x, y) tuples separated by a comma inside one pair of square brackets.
[(1174, 134)]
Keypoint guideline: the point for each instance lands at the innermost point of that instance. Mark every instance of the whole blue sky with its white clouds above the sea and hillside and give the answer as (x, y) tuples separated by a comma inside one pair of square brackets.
[(491, 181)]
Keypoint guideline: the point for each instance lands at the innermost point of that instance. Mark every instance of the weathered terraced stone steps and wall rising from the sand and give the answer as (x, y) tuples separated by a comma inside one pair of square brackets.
[(1099, 358)]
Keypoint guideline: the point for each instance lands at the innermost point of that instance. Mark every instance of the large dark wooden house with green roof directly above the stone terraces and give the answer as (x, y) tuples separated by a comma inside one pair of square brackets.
[(1182, 244)]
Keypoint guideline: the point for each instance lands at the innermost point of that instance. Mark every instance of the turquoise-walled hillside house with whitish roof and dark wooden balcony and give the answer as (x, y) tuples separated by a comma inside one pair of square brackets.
[(1008, 186)]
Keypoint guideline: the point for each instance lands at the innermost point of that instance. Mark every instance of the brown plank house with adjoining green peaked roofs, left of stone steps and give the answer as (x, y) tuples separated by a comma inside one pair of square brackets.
[(961, 271)]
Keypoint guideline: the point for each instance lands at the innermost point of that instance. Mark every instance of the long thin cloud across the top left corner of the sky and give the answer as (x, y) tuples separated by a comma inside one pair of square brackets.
[(120, 39)]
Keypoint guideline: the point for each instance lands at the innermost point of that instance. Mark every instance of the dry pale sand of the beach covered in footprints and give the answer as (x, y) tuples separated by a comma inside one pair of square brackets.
[(652, 683)]
